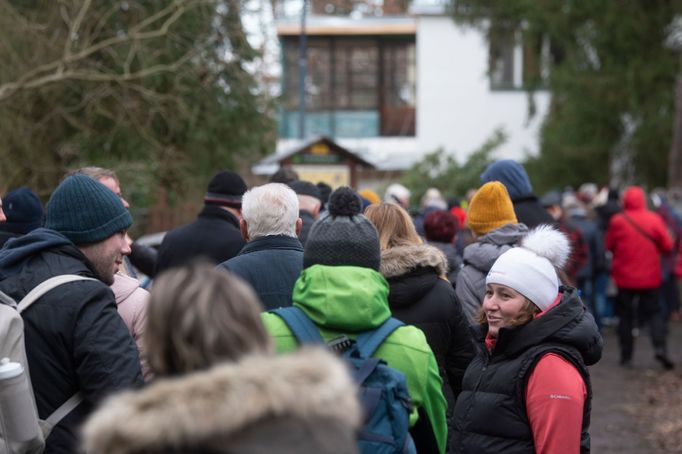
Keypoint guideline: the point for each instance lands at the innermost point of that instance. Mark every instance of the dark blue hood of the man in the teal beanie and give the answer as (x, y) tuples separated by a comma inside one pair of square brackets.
[(17, 250)]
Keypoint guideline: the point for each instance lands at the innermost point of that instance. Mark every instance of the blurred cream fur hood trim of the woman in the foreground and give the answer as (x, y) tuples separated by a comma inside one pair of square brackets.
[(307, 385)]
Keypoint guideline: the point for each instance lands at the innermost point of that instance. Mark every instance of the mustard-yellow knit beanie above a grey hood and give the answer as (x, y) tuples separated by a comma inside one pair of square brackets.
[(490, 208)]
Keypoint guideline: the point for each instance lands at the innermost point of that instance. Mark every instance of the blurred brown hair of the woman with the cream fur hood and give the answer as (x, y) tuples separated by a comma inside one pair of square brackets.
[(199, 315)]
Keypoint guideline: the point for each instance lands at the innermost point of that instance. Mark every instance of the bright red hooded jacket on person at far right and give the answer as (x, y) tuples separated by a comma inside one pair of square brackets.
[(636, 258)]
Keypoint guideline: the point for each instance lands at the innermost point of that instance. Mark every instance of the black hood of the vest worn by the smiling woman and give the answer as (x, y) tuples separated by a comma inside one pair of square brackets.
[(567, 323)]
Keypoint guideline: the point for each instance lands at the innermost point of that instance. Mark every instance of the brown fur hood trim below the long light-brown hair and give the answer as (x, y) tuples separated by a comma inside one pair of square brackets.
[(403, 259)]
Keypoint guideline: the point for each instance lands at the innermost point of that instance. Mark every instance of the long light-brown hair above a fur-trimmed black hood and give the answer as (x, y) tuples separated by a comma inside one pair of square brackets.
[(394, 225)]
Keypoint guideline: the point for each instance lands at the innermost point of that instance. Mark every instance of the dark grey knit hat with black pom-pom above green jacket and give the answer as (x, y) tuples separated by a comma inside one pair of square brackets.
[(343, 236)]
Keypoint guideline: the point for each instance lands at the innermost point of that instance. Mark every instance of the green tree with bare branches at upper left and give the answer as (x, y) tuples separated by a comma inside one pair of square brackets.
[(156, 86)]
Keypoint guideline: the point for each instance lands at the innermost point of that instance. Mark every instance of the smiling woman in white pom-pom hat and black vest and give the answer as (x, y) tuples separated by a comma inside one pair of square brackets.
[(528, 389)]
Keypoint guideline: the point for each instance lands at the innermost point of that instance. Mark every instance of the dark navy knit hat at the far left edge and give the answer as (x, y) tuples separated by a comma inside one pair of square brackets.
[(23, 210)]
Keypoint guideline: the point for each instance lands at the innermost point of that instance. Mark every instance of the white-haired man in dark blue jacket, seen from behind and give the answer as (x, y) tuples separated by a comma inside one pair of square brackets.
[(272, 259)]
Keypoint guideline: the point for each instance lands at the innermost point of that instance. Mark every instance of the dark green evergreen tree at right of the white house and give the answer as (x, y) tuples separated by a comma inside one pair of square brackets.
[(612, 81)]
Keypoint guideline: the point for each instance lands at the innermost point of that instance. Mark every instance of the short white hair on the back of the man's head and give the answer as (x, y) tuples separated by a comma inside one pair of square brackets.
[(271, 209)]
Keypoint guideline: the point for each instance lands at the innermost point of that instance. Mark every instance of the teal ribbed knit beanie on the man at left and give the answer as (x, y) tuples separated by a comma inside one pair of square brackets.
[(85, 211)]
